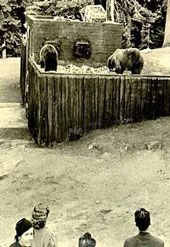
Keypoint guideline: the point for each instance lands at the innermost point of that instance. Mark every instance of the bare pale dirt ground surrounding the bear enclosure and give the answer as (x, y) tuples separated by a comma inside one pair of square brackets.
[(94, 184)]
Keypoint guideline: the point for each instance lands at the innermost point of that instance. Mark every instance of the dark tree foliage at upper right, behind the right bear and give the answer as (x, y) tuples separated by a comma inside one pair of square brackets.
[(143, 21)]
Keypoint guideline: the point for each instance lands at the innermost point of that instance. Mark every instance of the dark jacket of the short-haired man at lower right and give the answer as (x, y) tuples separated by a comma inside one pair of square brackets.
[(143, 239)]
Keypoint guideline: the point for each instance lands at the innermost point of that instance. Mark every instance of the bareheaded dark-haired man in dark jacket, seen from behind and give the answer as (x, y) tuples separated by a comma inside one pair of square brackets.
[(144, 238)]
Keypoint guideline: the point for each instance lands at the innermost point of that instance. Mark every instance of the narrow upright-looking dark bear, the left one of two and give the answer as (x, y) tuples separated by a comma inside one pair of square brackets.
[(49, 58)]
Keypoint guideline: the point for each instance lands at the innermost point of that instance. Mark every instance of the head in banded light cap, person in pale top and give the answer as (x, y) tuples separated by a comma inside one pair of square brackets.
[(39, 215)]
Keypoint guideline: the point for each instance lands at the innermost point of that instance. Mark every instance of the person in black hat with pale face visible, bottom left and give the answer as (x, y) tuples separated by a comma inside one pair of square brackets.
[(24, 234)]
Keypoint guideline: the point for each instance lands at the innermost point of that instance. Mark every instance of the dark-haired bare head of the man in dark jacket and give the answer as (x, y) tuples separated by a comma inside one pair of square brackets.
[(142, 219)]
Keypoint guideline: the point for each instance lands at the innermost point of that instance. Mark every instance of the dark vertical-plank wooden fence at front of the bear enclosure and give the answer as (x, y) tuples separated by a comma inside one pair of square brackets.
[(64, 105)]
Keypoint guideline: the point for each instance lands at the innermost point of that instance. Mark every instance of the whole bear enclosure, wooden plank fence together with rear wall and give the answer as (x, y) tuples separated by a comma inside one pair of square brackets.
[(65, 106)]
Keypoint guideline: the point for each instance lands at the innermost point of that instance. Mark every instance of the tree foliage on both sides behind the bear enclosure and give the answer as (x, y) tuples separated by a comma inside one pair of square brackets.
[(143, 20)]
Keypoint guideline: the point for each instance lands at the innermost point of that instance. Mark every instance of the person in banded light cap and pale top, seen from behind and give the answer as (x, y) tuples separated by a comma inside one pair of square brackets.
[(42, 236)]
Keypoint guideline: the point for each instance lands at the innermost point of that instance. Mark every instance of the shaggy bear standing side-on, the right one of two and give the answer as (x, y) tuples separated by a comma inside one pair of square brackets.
[(126, 59)]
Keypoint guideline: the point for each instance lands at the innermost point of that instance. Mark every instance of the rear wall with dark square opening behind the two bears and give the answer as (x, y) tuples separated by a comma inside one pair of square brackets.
[(104, 38)]
